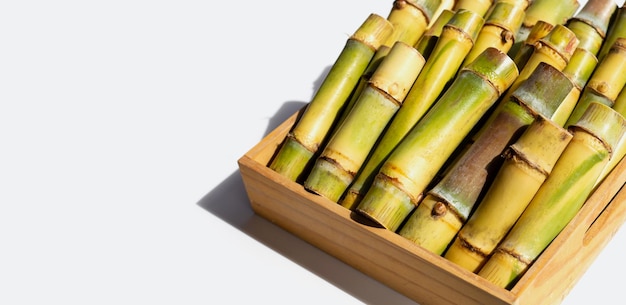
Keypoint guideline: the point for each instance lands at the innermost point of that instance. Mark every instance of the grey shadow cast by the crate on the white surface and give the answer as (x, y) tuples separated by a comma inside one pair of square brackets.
[(229, 202)]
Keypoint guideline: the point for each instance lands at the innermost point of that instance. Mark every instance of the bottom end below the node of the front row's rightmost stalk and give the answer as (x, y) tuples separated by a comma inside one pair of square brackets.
[(503, 269)]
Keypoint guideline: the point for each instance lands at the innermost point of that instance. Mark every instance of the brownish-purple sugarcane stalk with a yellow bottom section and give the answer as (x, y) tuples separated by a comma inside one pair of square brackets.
[(447, 205)]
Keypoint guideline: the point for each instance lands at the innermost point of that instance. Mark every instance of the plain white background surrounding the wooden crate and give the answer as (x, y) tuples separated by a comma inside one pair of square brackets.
[(120, 128)]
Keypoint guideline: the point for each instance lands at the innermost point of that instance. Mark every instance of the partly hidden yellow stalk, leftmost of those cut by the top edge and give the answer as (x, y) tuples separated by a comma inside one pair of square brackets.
[(410, 19)]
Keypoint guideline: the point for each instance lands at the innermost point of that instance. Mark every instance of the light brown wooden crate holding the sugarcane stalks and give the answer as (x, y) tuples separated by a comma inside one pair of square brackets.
[(407, 268)]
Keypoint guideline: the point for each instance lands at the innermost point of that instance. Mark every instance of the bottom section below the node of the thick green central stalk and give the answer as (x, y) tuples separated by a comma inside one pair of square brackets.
[(385, 203)]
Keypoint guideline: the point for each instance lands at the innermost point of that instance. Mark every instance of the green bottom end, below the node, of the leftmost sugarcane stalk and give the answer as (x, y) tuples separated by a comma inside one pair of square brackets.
[(292, 159)]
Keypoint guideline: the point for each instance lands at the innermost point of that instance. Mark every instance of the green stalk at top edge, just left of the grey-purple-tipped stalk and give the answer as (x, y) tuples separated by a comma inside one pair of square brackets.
[(553, 12)]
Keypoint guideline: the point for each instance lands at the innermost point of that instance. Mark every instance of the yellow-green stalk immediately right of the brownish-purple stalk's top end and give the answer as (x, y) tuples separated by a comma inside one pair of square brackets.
[(579, 69)]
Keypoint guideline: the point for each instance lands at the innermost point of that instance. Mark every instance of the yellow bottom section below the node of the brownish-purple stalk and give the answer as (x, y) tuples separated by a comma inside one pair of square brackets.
[(432, 225)]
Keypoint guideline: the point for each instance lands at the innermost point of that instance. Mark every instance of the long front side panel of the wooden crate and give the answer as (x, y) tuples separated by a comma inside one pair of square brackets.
[(379, 253)]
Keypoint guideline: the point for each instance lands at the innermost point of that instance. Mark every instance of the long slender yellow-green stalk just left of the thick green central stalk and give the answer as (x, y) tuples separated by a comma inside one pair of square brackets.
[(440, 68)]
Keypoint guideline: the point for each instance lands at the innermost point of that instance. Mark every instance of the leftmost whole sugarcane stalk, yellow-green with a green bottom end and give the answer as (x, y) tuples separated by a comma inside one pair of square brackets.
[(302, 143)]
